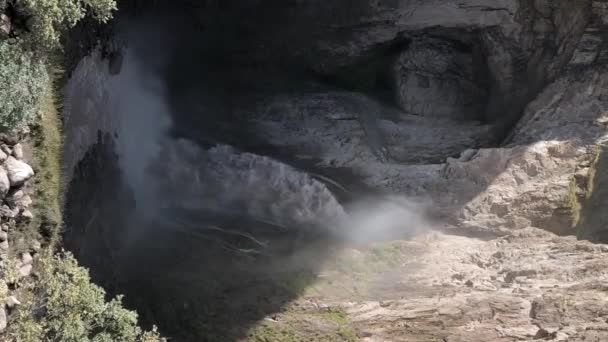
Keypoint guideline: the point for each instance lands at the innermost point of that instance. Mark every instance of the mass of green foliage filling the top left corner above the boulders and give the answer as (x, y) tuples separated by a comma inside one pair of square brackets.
[(23, 75)]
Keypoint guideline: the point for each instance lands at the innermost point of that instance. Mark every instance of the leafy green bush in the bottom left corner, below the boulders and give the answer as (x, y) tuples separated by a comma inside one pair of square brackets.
[(74, 310)]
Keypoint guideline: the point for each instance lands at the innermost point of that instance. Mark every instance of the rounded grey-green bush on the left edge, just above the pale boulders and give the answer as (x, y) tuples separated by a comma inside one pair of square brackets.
[(23, 79)]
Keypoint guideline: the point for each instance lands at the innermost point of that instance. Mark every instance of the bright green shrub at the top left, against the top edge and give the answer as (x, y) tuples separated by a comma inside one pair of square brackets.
[(49, 18)]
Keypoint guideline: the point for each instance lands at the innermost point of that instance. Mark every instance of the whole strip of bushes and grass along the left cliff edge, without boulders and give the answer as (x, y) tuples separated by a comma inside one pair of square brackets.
[(59, 302)]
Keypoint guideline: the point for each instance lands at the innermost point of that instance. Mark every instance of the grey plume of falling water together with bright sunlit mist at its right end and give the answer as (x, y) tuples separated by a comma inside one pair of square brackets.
[(184, 186)]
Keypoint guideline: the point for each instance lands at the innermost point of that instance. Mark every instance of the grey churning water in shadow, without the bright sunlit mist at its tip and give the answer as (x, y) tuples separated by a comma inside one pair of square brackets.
[(168, 174)]
